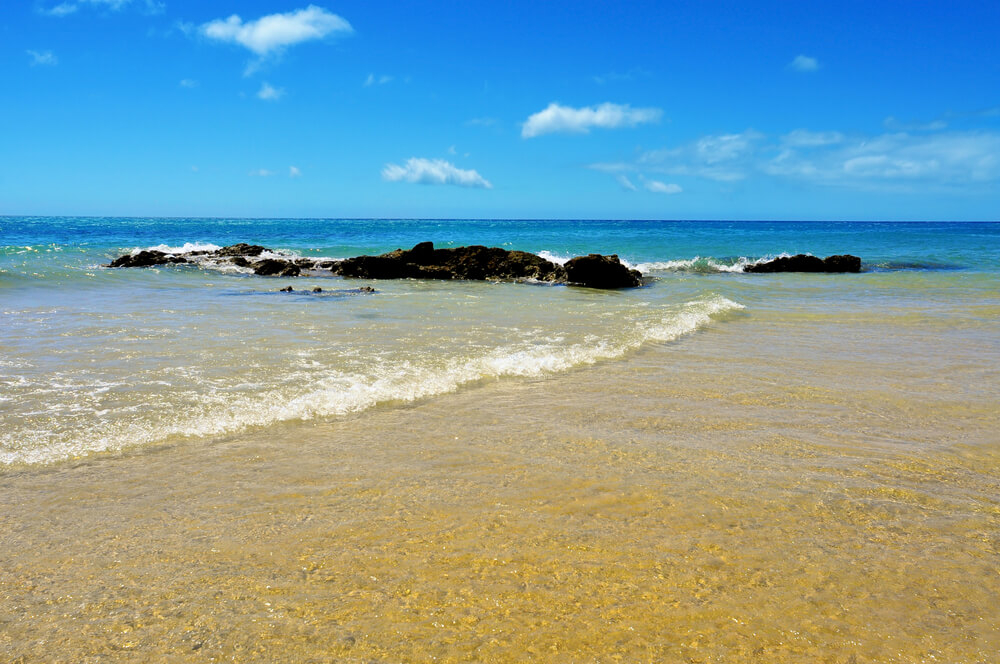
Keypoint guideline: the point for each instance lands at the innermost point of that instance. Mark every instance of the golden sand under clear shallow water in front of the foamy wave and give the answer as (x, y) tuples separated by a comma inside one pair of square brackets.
[(743, 494)]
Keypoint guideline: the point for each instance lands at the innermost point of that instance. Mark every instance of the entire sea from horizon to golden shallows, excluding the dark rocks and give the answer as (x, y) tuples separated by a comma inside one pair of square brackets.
[(717, 466)]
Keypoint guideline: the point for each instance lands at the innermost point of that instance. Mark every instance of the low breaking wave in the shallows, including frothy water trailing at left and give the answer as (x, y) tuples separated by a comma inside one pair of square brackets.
[(77, 422)]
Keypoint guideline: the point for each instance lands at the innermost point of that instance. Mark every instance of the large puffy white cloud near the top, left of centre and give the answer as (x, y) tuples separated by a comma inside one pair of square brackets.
[(271, 34)]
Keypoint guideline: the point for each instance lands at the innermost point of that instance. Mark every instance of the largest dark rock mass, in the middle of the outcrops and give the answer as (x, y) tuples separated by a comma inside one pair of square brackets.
[(476, 262)]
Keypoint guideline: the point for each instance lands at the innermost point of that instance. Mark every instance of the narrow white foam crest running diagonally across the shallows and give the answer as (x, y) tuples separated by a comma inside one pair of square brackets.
[(339, 394)]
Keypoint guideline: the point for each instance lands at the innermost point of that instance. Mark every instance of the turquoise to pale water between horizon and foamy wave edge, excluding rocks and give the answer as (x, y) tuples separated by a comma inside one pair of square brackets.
[(94, 360)]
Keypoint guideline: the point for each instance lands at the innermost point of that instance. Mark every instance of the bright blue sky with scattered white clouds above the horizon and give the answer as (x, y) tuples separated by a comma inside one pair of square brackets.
[(462, 109)]
